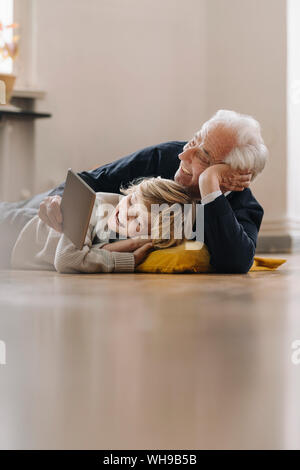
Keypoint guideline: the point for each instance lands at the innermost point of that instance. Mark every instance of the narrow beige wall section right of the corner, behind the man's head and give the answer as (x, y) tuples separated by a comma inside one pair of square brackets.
[(246, 57)]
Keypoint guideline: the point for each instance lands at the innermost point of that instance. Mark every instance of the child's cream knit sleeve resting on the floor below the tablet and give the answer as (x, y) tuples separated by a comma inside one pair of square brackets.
[(91, 258)]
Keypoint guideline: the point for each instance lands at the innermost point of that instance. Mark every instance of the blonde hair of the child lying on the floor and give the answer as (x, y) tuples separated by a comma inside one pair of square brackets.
[(163, 191)]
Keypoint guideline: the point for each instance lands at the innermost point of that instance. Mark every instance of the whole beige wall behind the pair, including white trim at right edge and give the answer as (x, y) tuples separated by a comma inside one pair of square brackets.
[(124, 74)]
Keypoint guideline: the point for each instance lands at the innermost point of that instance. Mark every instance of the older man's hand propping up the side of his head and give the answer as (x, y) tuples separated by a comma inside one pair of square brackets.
[(223, 177)]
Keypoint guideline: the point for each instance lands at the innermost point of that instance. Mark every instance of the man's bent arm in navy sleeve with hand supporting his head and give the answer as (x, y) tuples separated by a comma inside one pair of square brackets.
[(230, 228)]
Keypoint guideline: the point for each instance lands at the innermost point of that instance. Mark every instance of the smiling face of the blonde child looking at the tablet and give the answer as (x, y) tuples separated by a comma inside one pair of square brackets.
[(130, 218)]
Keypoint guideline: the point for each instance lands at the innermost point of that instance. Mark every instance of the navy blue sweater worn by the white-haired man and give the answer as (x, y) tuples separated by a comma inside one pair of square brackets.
[(231, 223)]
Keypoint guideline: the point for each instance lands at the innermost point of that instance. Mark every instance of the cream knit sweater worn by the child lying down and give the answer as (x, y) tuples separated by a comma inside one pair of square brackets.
[(40, 247)]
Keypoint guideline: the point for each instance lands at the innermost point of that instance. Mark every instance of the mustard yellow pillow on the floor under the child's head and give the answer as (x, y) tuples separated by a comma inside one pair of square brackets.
[(193, 257)]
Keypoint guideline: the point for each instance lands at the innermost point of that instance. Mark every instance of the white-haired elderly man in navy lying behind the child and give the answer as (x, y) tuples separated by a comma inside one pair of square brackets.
[(217, 165)]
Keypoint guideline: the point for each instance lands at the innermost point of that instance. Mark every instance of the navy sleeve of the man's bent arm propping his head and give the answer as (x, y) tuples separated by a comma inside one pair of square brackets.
[(231, 234)]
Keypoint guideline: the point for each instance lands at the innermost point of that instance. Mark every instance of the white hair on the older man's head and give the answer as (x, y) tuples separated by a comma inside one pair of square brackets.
[(251, 151)]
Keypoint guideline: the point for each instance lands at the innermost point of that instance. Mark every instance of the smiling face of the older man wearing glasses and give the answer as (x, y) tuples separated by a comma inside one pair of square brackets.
[(198, 155)]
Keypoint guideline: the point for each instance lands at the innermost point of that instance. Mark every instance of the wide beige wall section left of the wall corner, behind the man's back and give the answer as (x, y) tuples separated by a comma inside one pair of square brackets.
[(119, 75)]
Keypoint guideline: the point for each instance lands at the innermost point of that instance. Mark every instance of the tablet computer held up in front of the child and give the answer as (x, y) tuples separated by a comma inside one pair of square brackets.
[(77, 204)]
